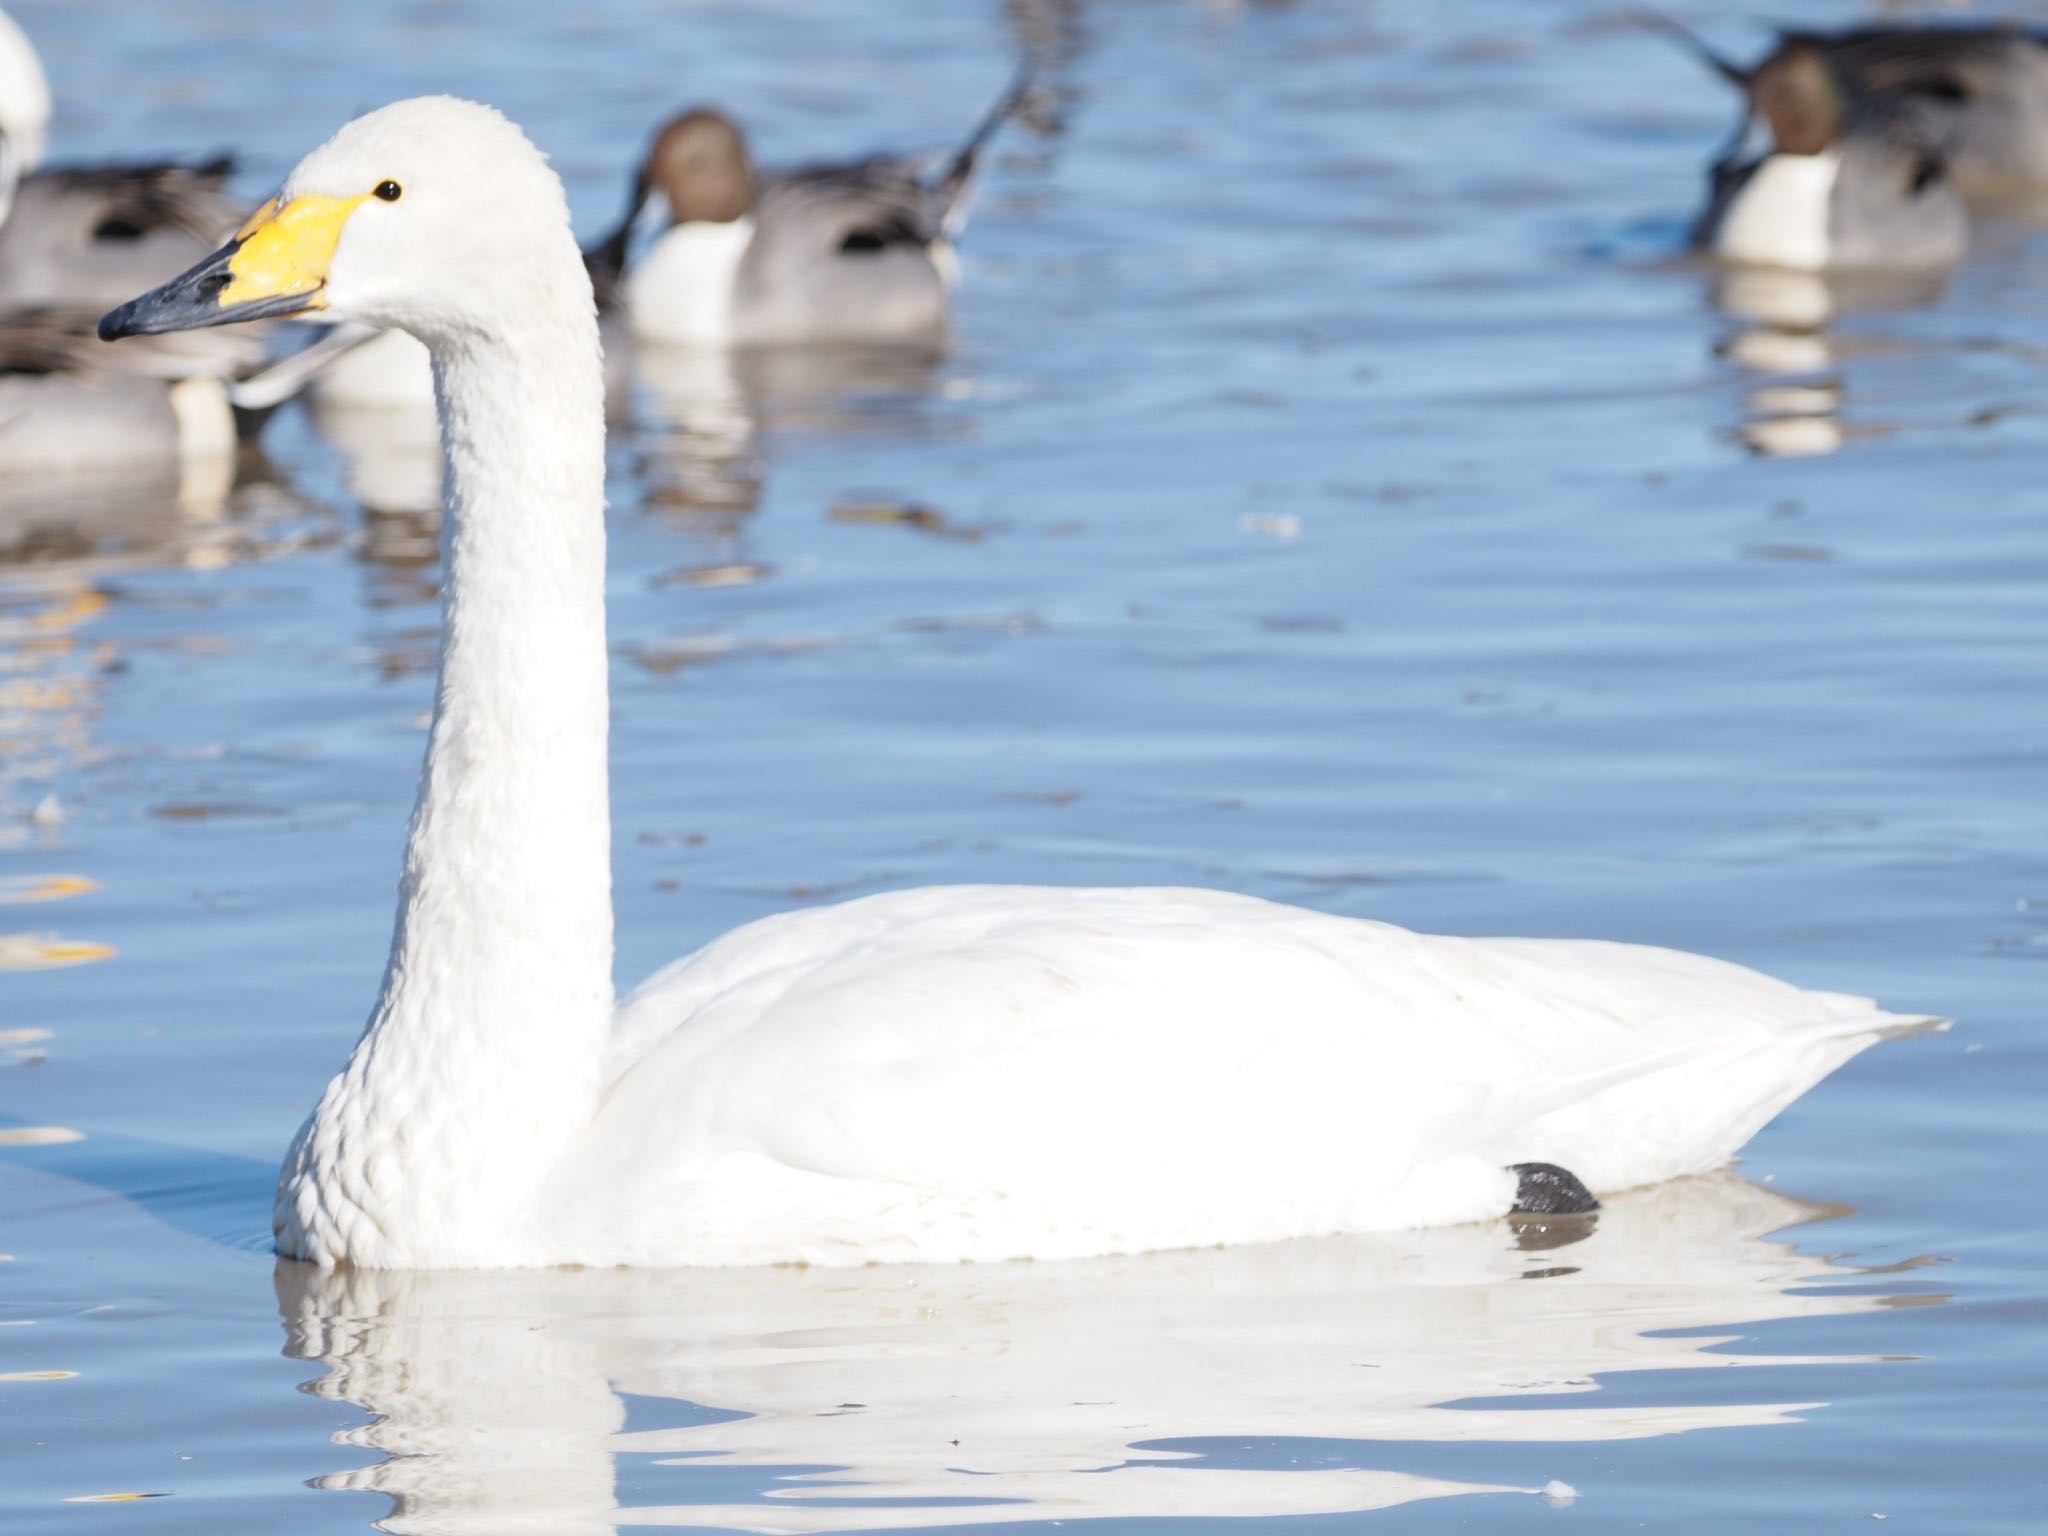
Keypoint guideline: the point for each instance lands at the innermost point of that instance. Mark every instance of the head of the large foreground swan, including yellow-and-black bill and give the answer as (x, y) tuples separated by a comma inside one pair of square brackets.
[(431, 216)]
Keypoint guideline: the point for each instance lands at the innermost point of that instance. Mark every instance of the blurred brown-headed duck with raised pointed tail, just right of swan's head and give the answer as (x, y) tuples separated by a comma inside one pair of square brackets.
[(857, 251)]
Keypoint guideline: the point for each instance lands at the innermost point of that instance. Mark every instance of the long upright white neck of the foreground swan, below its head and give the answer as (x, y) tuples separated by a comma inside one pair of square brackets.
[(484, 1052)]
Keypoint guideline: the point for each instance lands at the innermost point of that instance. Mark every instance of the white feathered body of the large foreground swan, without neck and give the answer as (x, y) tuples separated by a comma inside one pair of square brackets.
[(1181, 1066)]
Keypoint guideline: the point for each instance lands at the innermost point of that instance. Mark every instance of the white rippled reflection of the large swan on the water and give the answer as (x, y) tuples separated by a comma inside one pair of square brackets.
[(892, 1398)]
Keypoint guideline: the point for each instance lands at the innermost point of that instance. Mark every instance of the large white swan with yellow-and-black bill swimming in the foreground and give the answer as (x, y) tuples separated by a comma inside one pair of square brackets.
[(945, 1074)]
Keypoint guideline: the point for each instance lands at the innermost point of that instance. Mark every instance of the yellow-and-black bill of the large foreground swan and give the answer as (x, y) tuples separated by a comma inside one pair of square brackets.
[(278, 265)]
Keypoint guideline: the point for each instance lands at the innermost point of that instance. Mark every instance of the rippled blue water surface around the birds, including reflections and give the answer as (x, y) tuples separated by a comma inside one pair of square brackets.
[(1338, 488)]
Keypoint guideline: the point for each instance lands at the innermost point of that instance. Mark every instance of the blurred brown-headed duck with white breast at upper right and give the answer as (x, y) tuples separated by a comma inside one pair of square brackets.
[(1848, 179)]
